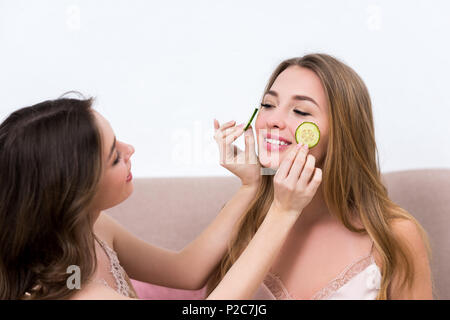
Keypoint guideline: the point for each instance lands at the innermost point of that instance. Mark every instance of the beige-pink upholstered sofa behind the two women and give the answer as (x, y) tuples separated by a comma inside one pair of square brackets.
[(171, 212)]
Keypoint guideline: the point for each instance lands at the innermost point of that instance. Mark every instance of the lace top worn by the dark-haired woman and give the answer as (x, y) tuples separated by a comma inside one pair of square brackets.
[(123, 283)]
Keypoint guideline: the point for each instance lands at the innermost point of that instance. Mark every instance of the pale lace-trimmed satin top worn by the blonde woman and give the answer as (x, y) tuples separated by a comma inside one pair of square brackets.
[(359, 281)]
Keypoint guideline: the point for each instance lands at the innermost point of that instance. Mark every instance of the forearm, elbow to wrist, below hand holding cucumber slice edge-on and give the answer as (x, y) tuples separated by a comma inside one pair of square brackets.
[(199, 258)]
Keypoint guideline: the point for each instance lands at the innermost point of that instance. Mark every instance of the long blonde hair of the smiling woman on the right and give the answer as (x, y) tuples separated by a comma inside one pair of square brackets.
[(351, 176)]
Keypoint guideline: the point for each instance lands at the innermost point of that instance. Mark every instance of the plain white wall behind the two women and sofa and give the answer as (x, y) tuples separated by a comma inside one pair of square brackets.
[(163, 70)]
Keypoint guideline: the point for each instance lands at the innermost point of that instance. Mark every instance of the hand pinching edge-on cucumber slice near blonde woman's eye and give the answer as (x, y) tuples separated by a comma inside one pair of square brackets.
[(244, 164)]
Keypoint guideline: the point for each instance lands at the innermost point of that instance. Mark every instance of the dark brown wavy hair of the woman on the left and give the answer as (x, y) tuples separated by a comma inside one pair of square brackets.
[(50, 166)]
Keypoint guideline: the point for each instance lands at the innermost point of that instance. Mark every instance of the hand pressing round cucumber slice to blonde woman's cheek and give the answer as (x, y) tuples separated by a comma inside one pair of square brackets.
[(295, 182)]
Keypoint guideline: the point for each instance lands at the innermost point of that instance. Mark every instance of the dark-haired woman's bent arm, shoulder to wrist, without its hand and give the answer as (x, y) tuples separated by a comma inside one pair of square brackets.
[(188, 268)]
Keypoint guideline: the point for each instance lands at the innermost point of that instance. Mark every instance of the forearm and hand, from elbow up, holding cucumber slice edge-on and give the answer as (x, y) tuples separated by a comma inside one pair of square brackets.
[(201, 256)]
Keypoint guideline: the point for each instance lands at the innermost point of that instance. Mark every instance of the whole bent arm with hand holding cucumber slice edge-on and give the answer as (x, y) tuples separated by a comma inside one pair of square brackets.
[(191, 267)]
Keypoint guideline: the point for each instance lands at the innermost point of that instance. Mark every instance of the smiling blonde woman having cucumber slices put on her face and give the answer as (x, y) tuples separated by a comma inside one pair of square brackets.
[(351, 241)]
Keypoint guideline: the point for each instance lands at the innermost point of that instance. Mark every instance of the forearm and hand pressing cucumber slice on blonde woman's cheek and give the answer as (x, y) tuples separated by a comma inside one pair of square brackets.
[(292, 192)]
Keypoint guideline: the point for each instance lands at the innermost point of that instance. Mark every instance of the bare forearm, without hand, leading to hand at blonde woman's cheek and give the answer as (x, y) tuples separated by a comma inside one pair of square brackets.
[(248, 272)]
